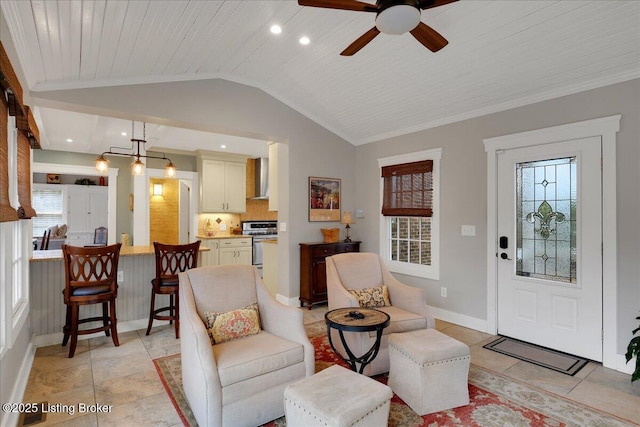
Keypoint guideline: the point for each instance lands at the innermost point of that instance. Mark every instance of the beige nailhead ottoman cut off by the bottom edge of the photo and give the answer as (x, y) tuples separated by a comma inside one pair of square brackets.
[(337, 397)]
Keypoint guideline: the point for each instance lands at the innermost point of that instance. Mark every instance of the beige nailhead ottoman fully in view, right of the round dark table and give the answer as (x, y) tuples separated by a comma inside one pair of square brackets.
[(429, 370)]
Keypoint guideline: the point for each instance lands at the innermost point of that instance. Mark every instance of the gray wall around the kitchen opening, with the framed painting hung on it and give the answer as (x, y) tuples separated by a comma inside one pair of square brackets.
[(231, 108)]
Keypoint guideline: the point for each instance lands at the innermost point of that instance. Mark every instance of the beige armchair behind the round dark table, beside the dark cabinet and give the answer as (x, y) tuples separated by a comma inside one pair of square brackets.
[(408, 310)]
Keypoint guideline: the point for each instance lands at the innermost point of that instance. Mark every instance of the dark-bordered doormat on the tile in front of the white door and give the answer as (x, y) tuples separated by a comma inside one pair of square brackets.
[(541, 356)]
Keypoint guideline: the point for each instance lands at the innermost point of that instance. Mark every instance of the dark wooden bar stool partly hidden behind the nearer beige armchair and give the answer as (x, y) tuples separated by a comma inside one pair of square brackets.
[(170, 260)]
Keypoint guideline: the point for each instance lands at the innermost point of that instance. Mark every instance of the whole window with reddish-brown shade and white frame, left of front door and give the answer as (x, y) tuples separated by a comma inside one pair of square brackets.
[(410, 226)]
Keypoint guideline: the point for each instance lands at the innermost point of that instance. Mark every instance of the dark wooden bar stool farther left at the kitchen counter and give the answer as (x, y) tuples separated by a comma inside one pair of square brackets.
[(90, 278)]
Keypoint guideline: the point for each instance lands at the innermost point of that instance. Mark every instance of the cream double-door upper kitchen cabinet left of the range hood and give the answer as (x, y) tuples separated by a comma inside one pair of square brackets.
[(223, 185)]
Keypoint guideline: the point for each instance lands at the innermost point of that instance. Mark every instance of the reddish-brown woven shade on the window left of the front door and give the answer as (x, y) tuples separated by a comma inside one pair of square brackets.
[(408, 189)]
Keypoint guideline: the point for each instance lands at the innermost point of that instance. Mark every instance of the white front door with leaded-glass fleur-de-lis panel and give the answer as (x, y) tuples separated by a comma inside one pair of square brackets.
[(550, 246)]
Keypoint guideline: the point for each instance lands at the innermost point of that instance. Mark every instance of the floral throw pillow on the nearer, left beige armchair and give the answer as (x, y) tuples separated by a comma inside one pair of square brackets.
[(233, 324)]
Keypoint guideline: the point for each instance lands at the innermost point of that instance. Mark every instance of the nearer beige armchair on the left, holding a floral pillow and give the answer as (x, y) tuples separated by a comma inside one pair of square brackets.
[(239, 382)]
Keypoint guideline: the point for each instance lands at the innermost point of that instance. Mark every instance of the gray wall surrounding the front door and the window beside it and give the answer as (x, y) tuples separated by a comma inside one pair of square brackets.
[(463, 194)]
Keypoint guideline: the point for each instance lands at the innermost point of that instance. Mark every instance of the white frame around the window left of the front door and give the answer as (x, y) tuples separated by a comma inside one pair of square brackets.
[(426, 271)]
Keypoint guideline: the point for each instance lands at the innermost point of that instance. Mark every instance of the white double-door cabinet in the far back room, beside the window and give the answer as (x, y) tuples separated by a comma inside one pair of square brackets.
[(87, 208)]
